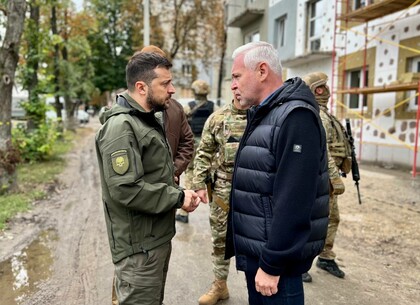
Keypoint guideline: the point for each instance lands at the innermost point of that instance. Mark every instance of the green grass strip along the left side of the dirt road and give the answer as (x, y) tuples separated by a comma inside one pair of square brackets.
[(33, 179)]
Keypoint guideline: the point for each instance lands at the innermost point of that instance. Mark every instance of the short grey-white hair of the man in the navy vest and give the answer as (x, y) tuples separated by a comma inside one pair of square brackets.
[(259, 51)]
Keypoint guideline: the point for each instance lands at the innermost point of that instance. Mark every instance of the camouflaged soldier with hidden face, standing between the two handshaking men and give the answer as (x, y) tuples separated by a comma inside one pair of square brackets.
[(214, 158)]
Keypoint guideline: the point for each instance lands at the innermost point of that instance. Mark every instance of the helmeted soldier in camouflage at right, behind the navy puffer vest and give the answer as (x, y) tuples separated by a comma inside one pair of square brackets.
[(317, 82)]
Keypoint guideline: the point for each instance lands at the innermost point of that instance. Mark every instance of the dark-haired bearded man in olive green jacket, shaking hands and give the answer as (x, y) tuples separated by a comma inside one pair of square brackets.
[(138, 189)]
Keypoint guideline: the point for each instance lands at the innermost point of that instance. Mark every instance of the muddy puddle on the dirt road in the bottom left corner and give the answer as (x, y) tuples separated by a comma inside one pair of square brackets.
[(21, 275)]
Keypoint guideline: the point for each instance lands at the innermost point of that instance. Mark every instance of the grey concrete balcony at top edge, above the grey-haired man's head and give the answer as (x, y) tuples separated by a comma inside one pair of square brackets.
[(244, 12)]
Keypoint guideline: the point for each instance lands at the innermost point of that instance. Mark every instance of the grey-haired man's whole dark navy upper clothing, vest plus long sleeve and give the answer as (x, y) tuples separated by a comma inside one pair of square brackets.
[(280, 190)]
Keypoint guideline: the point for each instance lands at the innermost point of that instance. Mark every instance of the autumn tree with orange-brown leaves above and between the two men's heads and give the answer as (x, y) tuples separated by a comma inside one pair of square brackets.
[(196, 31)]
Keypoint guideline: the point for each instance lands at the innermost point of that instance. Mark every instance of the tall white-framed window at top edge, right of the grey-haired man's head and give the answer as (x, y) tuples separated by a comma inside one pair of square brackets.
[(315, 26)]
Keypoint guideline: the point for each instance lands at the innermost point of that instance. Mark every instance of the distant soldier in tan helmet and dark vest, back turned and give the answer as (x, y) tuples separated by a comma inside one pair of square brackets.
[(197, 112)]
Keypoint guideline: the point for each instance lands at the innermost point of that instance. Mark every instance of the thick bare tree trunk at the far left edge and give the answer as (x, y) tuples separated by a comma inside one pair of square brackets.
[(9, 56)]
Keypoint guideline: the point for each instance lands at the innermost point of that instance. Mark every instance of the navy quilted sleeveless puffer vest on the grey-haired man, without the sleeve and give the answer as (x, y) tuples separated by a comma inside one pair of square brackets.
[(254, 183)]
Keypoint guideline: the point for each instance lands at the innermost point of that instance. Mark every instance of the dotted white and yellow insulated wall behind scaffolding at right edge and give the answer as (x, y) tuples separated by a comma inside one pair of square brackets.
[(388, 130)]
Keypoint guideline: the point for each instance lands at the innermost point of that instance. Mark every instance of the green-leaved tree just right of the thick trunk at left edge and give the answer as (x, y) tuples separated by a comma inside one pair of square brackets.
[(58, 55)]
